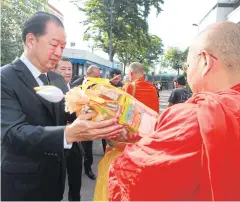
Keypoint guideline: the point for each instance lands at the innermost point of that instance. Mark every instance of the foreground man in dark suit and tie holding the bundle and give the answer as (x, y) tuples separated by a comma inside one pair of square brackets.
[(33, 131)]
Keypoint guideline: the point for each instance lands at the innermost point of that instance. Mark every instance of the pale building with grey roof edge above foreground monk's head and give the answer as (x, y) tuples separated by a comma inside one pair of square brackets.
[(228, 10)]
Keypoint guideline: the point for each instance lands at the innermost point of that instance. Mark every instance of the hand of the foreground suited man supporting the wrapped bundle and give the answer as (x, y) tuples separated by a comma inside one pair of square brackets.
[(84, 130)]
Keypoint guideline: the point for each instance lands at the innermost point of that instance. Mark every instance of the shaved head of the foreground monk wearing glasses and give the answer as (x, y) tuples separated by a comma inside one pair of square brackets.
[(214, 58)]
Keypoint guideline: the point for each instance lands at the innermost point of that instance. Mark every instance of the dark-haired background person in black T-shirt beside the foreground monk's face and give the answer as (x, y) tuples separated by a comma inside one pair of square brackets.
[(179, 94)]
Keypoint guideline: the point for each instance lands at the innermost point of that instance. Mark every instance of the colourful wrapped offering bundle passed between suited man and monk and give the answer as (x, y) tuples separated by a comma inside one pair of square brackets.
[(110, 102)]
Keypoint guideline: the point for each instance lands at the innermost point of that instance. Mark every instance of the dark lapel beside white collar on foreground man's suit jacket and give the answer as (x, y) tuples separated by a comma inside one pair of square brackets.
[(26, 76)]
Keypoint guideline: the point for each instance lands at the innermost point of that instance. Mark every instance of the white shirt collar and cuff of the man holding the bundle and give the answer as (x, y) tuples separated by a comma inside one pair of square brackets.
[(36, 73)]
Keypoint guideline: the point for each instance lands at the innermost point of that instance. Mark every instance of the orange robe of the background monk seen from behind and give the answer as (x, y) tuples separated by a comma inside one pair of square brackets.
[(144, 92)]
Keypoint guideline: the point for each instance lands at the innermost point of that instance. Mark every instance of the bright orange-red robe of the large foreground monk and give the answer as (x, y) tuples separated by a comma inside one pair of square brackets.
[(192, 155)]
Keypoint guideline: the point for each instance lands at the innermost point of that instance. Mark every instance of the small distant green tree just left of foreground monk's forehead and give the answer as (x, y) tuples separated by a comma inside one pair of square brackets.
[(174, 57)]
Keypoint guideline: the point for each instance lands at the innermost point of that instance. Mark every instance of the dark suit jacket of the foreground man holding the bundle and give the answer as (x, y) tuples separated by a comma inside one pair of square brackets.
[(32, 132)]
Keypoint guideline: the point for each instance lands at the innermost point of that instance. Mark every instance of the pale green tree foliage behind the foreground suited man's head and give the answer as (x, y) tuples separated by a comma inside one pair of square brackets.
[(13, 15)]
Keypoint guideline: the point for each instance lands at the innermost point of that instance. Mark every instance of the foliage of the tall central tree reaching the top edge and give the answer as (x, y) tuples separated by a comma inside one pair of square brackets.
[(130, 36)]
